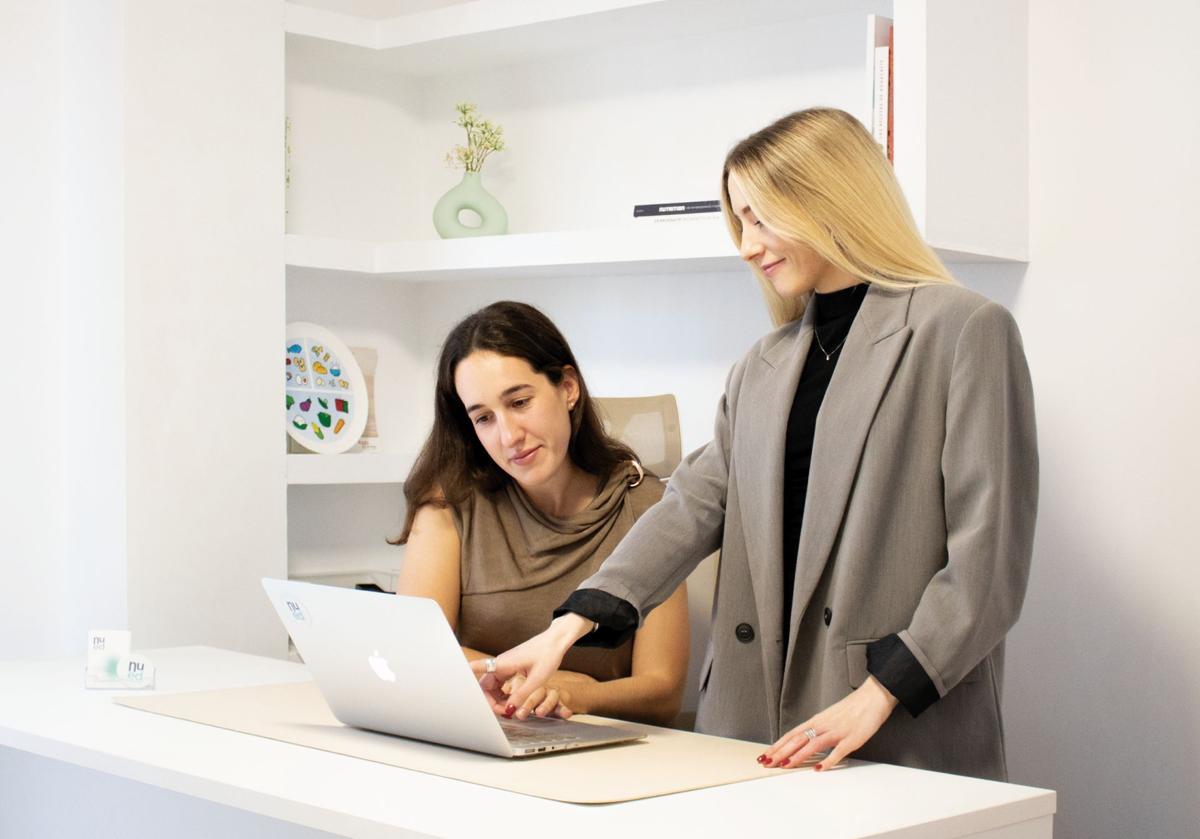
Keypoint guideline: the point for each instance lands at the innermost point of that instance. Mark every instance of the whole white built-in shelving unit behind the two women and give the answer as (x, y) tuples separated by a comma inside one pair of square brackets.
[(605, 104)]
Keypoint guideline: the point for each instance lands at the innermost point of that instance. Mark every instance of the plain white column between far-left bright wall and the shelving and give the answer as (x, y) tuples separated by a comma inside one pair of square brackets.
[(205, 321)]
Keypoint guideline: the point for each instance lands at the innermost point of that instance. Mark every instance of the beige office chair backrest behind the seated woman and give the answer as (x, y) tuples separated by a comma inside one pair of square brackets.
[(650, 426)]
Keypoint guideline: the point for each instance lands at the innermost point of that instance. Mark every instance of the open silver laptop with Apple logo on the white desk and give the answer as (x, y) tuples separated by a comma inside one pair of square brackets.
[(391, 663)]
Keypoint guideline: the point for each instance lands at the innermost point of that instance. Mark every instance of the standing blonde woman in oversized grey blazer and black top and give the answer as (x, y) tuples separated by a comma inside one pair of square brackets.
[(872, 484)]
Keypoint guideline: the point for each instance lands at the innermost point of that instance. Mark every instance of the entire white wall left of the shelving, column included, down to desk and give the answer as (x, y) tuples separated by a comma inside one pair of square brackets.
[(141, 213)]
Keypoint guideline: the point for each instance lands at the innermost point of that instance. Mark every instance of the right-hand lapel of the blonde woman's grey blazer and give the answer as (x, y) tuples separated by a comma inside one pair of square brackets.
[(873, 350)]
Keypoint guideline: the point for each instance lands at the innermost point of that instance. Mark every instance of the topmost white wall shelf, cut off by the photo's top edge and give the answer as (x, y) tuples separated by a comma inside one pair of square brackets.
[(494, 33)]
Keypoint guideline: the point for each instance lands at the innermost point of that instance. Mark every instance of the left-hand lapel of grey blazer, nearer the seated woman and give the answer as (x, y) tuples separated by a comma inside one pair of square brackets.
[(763, 501)]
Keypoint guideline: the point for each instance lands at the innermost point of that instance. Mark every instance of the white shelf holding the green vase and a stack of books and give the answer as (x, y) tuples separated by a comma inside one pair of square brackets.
[(688, 245)]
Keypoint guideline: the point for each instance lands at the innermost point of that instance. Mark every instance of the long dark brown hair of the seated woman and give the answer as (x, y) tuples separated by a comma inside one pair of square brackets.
[(453, 463)]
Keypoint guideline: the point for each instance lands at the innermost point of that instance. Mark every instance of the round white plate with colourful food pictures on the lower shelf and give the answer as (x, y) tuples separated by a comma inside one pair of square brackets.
[(325, 391)]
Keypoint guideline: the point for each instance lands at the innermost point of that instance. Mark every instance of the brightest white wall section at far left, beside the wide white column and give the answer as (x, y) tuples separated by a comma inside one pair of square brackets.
[(63, 490)]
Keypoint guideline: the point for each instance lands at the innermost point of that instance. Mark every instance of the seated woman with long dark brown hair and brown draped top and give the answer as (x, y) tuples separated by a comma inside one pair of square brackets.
[(518, 496)]
